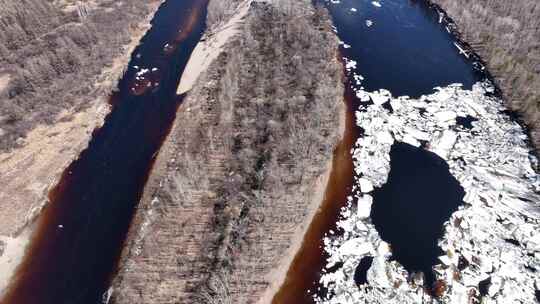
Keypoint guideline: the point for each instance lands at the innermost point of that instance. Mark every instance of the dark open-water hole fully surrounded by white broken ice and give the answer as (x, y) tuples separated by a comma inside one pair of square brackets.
[(410, 209)]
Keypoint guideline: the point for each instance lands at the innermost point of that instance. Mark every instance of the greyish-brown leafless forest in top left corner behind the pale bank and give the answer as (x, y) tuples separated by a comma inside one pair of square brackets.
[(53, 51)]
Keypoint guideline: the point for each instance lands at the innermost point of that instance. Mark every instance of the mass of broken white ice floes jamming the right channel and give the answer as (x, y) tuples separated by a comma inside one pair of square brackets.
[(496, 231)]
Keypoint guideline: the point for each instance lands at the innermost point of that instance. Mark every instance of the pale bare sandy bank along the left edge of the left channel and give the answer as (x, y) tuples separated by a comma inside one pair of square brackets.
[(31, 171)]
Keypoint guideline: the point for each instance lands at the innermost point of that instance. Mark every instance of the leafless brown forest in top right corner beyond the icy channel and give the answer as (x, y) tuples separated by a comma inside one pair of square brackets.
[(507, 35)]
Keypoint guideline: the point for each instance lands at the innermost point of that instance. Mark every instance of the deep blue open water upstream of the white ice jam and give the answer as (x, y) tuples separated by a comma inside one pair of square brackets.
[(402, 46)]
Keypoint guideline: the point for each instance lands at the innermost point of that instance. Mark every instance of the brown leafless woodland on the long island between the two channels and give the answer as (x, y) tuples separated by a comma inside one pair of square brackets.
[(242, 163)]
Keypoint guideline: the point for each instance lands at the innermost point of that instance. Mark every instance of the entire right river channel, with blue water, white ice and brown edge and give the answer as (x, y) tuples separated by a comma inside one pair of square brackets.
[(444, 205)]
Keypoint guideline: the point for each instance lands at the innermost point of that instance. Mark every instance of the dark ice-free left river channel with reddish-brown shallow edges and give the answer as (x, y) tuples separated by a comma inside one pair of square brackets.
[(79, 235)]
